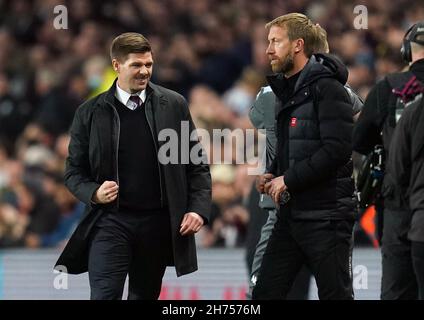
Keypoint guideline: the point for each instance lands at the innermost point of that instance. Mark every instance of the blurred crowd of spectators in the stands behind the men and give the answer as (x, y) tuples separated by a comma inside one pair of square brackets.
[(211, 51)]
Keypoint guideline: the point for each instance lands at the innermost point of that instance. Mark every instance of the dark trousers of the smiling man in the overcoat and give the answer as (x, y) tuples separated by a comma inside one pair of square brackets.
[(129, 243)]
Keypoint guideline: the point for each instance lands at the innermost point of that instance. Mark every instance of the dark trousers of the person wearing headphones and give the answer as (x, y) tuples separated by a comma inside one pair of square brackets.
[(398, 278)]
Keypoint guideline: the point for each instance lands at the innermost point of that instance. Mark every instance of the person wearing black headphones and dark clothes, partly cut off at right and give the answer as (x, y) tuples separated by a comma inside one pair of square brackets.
[(375, 126)]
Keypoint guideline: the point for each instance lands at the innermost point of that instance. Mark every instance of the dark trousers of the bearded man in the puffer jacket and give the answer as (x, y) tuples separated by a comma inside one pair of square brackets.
[(324, 246)]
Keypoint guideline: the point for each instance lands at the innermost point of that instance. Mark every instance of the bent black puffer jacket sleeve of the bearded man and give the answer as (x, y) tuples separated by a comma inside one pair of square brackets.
[(335, 116)]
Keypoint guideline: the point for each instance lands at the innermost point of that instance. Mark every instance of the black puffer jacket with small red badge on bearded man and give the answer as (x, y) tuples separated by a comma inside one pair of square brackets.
[(314, 130)]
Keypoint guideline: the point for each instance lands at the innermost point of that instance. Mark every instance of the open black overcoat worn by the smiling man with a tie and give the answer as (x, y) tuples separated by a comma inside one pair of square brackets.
[(93, 159)]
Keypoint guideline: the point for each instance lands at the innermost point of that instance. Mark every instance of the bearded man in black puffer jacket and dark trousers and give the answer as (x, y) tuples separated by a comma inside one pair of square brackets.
[(312, 172)]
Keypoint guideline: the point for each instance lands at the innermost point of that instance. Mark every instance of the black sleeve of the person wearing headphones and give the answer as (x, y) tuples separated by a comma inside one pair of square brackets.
[(367, 130)]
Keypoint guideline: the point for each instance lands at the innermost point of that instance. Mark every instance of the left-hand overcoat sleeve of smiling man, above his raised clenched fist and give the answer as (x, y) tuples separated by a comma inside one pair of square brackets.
[(78, 178)]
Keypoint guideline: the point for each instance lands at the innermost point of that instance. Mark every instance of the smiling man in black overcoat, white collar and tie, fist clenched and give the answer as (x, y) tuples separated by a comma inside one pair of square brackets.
[(141, 213)]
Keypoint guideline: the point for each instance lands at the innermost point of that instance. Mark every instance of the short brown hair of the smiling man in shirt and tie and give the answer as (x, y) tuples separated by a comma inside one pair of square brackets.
[(129, 42)]
